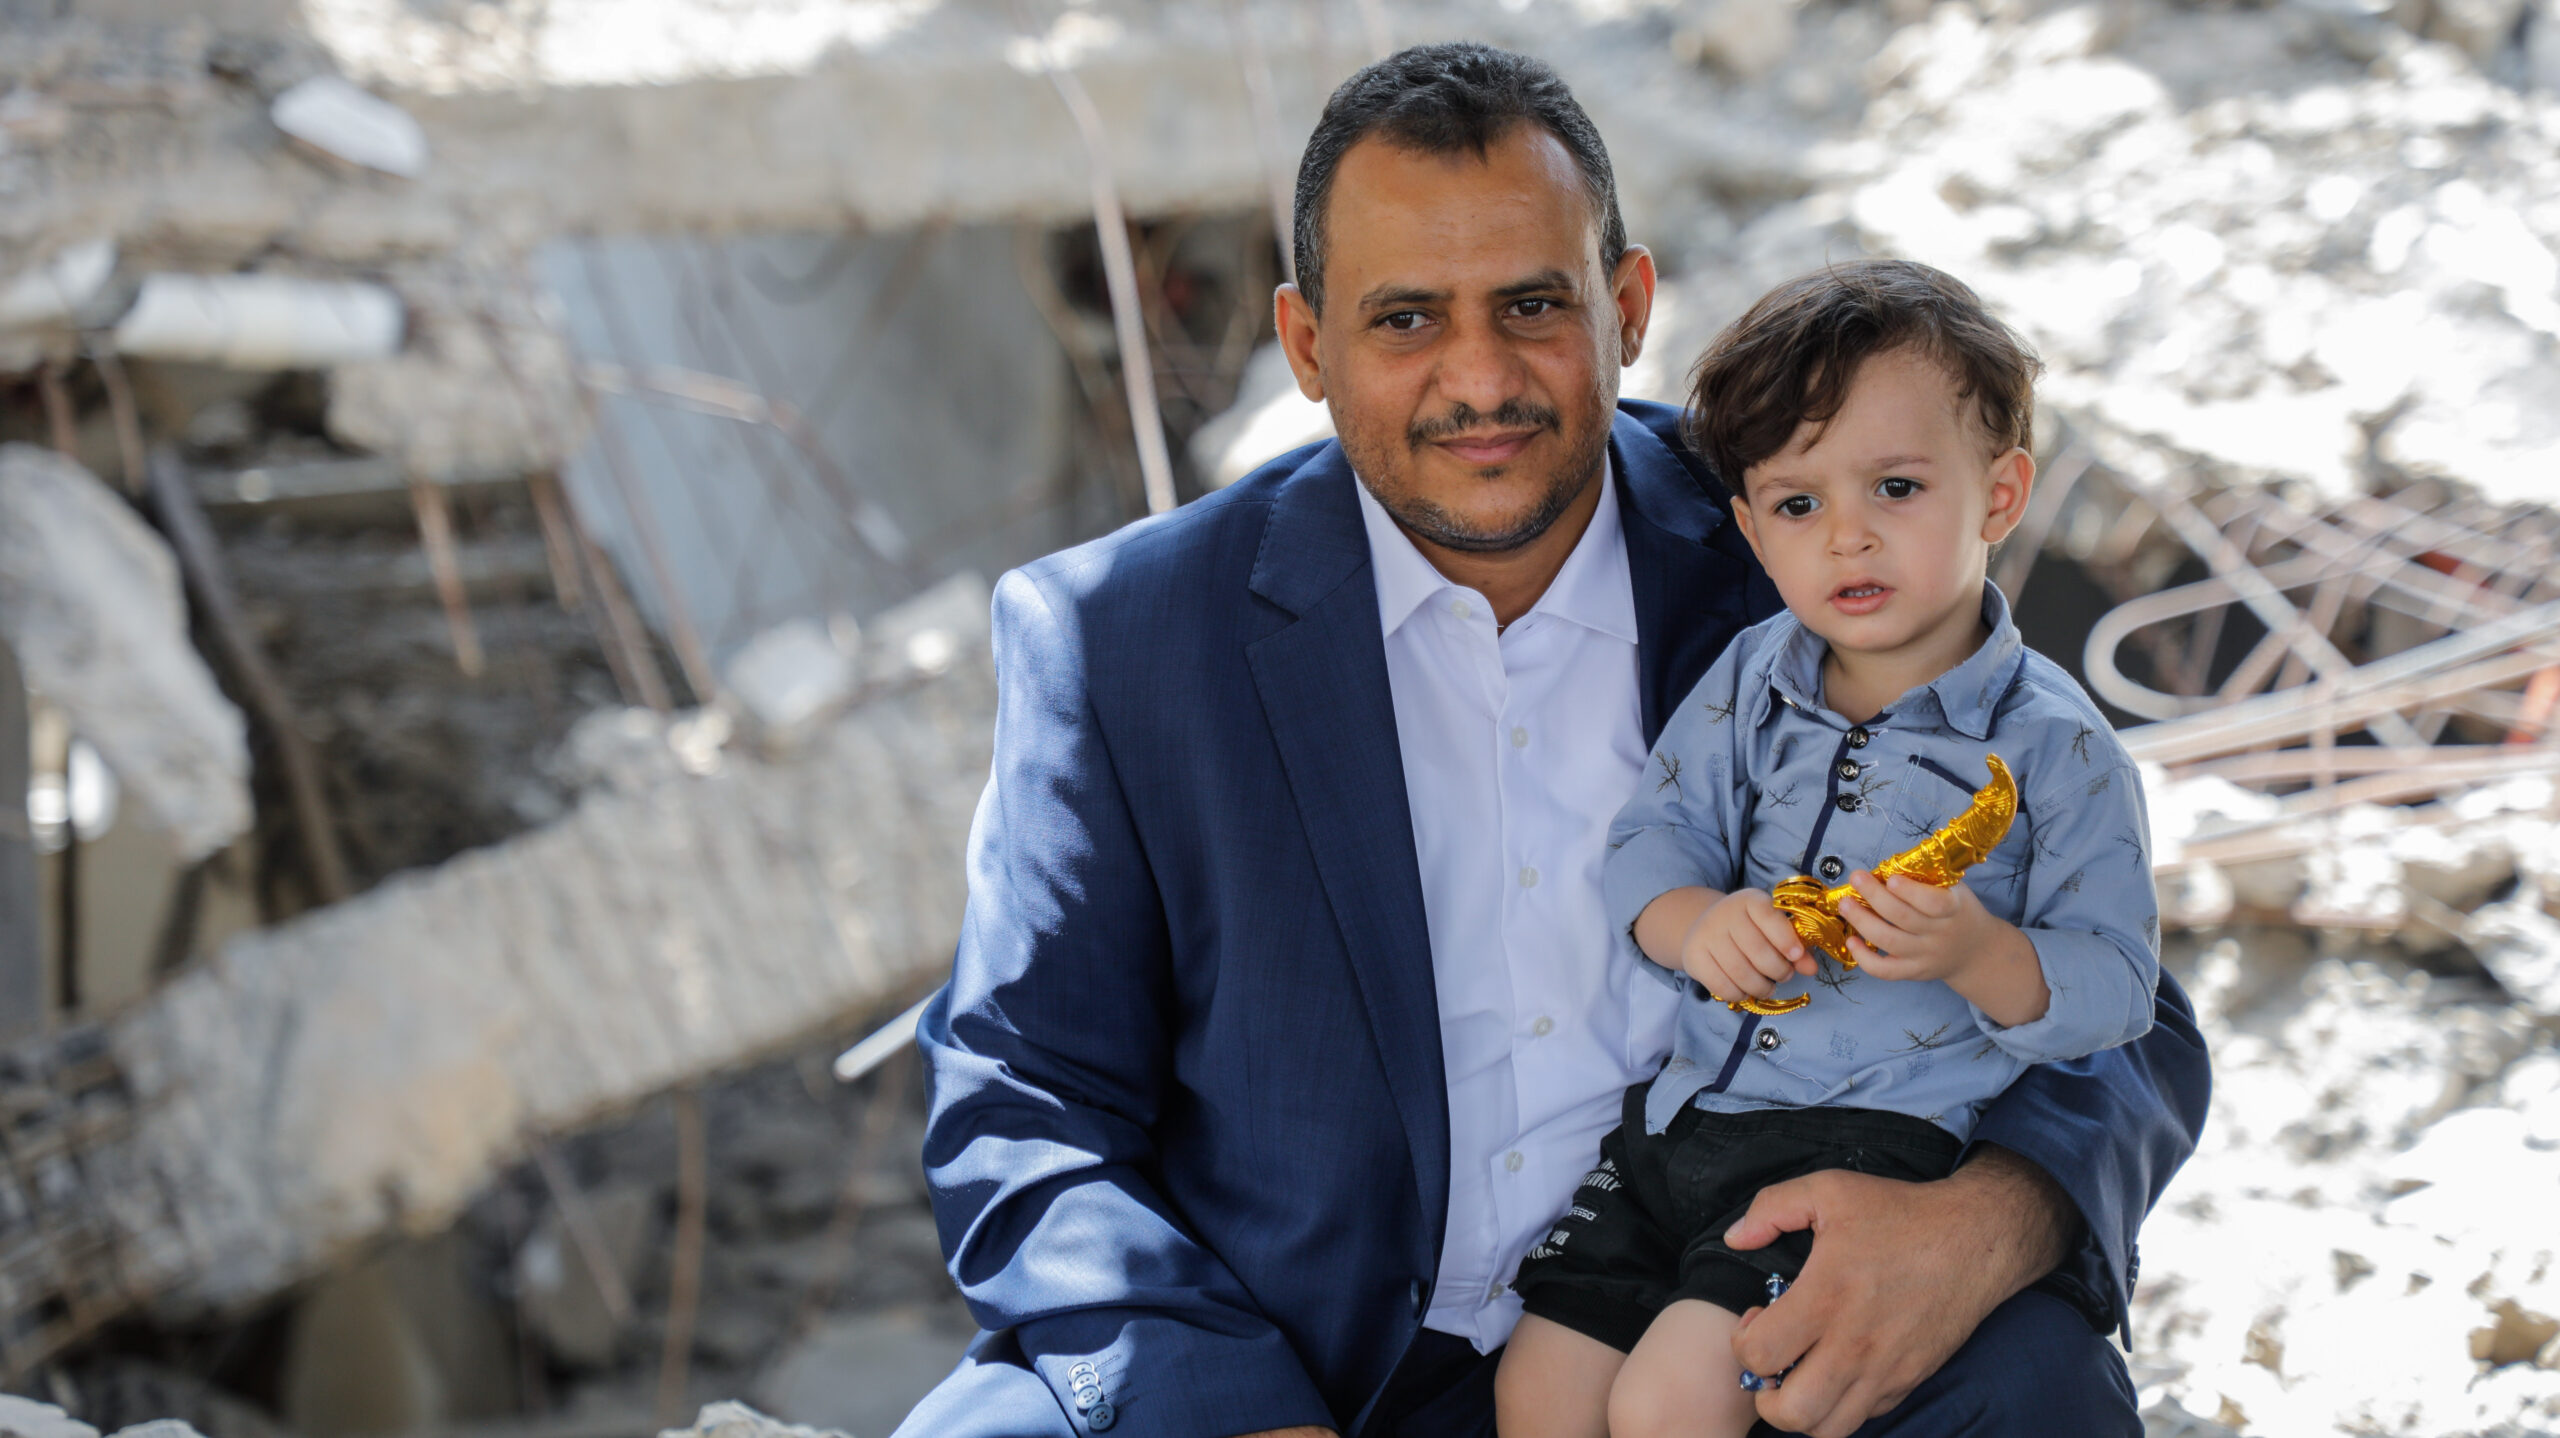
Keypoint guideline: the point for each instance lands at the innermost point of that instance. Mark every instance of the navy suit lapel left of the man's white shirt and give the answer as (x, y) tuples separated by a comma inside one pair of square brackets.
[(1325, 692)]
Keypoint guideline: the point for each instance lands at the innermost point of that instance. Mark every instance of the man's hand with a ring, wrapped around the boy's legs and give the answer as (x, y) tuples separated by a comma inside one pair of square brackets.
[(1898, 1281)]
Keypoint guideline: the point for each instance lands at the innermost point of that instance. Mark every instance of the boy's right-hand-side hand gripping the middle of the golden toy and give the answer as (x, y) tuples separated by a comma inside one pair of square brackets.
[(1916, 930)]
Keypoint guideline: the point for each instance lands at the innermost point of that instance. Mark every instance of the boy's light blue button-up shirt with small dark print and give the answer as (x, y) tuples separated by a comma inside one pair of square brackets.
[(1757, 782)]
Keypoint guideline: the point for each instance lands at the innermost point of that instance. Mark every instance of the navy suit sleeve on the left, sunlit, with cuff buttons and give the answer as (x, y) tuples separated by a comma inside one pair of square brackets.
[(1048, 1058)]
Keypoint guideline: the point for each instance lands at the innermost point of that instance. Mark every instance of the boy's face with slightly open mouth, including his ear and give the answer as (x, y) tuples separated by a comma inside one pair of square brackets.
[(1878, 528)]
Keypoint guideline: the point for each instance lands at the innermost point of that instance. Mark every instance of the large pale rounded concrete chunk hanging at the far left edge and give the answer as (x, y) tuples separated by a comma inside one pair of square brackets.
[(93, 610)]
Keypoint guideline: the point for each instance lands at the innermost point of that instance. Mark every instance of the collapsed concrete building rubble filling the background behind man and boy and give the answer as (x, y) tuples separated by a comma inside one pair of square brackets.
[(493, 536)]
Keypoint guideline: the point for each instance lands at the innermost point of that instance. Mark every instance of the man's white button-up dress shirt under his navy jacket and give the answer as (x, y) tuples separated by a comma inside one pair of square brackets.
[(1519, 751)]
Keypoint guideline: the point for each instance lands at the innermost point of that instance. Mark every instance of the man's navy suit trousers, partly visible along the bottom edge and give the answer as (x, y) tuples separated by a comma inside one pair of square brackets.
[(2031, 1370)]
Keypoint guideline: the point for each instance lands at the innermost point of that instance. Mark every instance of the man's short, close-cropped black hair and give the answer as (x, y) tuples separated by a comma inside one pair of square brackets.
[(1443, 101)]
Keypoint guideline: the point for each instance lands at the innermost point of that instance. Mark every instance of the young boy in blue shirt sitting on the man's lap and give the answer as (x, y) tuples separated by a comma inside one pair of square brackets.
[(1873, 423)]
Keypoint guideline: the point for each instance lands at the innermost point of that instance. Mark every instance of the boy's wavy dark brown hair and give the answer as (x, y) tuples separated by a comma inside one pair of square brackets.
[(1793, 354)]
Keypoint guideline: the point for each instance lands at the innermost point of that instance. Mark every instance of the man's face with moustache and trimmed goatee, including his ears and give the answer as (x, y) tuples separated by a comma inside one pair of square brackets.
[(1471, 344)]
